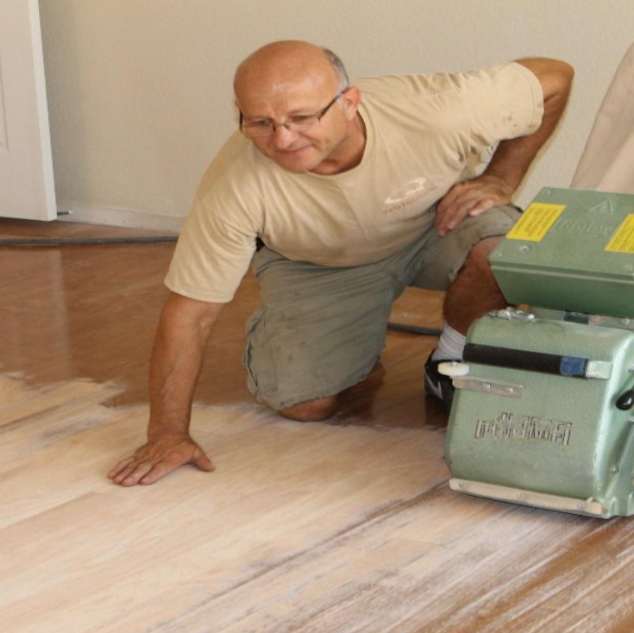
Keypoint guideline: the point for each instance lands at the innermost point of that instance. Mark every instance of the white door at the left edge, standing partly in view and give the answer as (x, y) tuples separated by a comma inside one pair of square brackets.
[(26, 167)]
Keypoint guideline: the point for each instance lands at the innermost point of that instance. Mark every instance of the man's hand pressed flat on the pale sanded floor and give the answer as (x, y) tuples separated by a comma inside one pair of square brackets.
[(160, 456)]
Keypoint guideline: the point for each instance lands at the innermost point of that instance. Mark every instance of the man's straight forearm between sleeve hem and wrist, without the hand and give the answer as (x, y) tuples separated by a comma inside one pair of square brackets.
[(176, 361)]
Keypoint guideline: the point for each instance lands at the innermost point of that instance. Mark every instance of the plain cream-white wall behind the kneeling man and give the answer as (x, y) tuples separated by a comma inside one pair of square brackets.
[(140, 90)]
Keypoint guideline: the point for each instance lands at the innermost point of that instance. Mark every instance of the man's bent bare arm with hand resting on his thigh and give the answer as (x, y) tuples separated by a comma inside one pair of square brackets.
[(513, 157)]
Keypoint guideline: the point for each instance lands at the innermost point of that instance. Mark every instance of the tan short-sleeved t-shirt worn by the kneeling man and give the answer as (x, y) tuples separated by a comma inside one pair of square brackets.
[(423, 133)]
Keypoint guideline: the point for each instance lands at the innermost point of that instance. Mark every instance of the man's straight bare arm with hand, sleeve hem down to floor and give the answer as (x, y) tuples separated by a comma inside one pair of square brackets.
[(181, 337)]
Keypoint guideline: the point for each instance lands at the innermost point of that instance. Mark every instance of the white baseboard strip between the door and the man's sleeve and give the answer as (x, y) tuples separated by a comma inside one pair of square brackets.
[(123, 218)]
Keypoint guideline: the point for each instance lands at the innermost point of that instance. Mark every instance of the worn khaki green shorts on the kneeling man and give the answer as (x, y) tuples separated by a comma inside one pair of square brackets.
[(321, 329)]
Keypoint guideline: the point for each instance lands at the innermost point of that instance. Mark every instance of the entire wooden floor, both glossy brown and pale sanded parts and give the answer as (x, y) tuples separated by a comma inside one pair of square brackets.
[(346, 526)]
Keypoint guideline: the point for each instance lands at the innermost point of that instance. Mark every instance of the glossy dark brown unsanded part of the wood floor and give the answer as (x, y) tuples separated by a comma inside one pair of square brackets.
[(91, 311)]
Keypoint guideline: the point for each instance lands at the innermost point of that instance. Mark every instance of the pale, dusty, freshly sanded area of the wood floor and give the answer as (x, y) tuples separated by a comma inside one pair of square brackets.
[(311, 527)]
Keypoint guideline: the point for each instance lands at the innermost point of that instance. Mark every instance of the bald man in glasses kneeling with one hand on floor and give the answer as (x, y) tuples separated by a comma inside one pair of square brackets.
[(352, 190)]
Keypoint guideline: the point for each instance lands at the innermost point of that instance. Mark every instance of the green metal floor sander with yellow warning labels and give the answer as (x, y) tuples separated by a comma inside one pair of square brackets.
[(543, 413)]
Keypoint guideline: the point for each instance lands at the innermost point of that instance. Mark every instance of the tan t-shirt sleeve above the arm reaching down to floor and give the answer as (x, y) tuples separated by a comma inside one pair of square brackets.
[(211, 257)]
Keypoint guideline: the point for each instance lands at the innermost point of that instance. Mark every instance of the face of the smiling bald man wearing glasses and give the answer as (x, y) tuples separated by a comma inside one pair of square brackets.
[(297, 150)]
